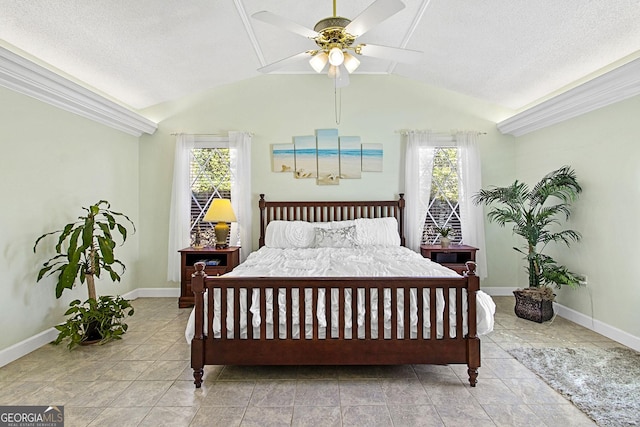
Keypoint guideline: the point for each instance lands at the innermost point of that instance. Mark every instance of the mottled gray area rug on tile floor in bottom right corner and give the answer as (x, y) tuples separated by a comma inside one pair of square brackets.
[(603, 383)]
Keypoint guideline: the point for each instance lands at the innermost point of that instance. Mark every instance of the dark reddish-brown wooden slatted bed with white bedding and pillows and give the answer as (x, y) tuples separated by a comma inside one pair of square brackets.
[(398, 309)]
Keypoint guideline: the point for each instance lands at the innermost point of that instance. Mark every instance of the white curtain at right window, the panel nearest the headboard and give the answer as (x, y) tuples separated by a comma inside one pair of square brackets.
[(417, 183)]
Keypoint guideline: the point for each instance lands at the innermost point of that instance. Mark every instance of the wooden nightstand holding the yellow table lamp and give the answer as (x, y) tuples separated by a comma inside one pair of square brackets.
[(219, 261)]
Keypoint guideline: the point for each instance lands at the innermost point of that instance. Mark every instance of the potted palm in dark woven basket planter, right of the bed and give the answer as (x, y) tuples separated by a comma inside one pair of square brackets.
[(536, 216)]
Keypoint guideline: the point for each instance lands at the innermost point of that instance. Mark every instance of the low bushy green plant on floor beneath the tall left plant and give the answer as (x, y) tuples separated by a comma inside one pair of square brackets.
[(99, 320)]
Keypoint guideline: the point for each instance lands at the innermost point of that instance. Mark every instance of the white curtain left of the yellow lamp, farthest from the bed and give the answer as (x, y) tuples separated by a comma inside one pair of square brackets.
[(180, 210)]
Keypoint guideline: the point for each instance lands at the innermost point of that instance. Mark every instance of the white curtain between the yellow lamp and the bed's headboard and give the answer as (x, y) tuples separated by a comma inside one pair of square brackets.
[(241, 196)]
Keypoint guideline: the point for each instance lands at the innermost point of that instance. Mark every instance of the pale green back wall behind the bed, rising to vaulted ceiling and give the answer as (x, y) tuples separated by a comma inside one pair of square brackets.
[(276, 108)]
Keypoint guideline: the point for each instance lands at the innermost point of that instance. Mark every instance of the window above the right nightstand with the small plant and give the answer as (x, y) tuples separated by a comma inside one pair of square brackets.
[(444, 208)]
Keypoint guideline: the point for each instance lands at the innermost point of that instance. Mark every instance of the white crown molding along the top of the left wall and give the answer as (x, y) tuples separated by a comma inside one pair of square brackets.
[(27, 77)]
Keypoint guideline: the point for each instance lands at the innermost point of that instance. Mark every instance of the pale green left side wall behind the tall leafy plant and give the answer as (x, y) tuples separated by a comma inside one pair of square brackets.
[(54, 162)]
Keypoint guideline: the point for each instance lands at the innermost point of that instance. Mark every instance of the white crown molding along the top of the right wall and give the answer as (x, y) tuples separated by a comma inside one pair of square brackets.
[(614, 86)]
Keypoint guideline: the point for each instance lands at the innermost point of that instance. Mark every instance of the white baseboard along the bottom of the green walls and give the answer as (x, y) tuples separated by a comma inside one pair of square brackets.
[(25, 347)]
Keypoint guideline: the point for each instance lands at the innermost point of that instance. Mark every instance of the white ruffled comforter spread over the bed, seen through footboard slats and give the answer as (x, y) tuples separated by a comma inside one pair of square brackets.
[(367, 261)]
